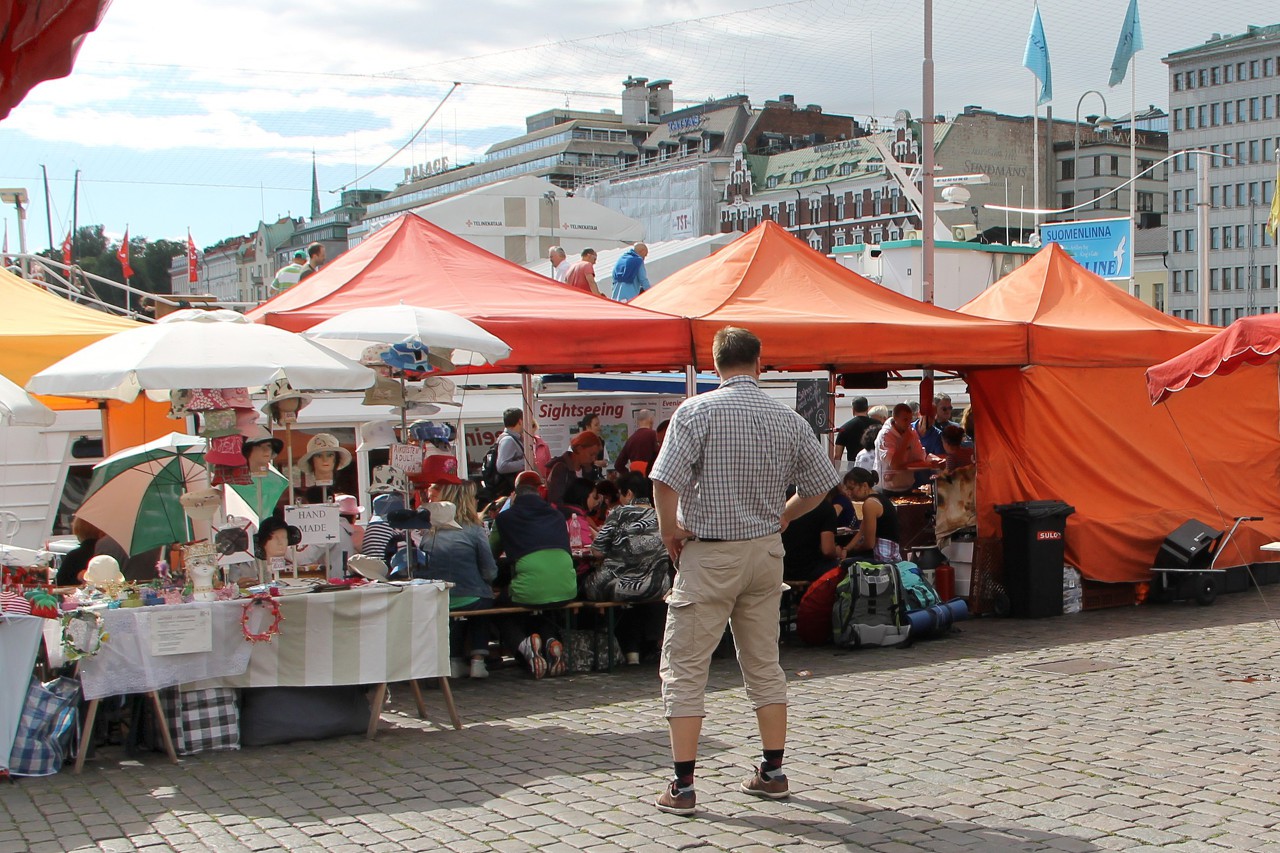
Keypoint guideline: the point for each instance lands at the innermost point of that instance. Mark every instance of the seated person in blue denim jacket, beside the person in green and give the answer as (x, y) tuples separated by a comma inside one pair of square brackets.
[(458, 551)]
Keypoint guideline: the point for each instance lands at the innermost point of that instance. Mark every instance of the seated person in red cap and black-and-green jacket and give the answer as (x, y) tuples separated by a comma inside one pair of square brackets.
[(532, 535)]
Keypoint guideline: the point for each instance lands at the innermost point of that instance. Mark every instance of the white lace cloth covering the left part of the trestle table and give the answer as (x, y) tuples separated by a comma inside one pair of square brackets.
[(126, 665)]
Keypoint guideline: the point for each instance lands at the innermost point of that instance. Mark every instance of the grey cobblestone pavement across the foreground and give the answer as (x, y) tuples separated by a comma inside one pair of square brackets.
[(1171, 742)]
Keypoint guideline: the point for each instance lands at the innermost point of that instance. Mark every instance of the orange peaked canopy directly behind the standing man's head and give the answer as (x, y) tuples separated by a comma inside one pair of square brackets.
[(812, 313)]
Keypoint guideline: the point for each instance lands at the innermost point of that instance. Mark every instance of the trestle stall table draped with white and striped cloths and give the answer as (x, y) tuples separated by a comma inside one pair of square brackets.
[(372, 635)]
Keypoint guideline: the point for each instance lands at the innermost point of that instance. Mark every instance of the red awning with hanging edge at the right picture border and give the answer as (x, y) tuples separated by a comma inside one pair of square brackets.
[(1251, 340)]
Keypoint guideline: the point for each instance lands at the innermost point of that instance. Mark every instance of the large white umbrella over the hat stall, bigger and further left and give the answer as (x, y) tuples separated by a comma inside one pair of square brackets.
[(194, 349)]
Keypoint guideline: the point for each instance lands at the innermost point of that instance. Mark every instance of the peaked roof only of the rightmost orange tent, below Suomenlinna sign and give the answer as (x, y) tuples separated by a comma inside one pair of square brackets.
[(1081, 320)]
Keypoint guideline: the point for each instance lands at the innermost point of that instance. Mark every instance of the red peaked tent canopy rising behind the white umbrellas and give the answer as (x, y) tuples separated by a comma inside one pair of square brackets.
[(548, 326)]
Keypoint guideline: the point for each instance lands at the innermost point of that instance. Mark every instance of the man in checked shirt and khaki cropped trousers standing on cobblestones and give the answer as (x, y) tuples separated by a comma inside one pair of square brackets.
[(721, 510)]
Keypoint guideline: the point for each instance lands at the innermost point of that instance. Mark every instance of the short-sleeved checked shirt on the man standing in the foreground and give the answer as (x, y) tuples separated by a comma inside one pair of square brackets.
[(732, 454)]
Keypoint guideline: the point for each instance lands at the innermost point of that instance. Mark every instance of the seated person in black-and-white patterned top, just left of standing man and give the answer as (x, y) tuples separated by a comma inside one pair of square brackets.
[(634, 567)]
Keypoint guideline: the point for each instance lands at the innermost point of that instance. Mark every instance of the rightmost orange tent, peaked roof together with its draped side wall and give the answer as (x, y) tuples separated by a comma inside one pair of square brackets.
[(1078, 426)]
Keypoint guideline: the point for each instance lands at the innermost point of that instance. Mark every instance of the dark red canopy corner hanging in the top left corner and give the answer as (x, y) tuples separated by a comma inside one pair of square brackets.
[(39, 42)]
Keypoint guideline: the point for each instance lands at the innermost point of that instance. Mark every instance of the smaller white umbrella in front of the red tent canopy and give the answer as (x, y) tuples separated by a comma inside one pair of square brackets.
[(442, 332)]
